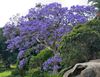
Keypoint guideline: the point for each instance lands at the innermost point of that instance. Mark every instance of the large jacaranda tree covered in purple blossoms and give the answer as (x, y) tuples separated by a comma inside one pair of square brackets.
[(43, 27)]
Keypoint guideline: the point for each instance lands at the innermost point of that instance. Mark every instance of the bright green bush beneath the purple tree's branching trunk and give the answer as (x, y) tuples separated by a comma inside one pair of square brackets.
[(38, 60)]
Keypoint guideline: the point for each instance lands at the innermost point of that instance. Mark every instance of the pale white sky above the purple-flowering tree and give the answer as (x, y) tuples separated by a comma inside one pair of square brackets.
[(9, 8)]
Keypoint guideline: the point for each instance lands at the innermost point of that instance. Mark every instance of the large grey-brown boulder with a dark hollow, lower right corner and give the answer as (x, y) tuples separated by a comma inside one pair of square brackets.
[(87, 69)]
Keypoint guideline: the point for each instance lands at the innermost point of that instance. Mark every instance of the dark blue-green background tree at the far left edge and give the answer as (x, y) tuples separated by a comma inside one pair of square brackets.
[(6, 56)]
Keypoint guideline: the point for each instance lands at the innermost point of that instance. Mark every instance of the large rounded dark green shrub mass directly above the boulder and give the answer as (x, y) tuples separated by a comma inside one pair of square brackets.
[(81, 44)]
